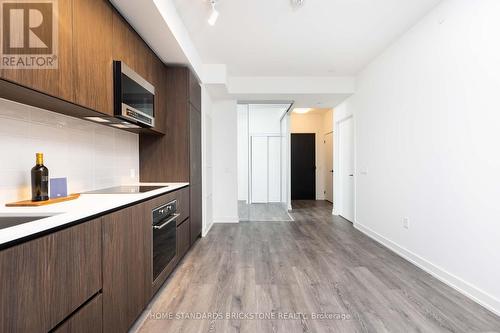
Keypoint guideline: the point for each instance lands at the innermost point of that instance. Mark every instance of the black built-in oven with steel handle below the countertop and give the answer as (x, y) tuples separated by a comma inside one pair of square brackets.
[(164, 236)]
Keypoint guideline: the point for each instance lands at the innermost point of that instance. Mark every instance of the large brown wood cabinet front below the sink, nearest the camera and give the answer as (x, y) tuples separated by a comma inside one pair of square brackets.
[(43, 281)]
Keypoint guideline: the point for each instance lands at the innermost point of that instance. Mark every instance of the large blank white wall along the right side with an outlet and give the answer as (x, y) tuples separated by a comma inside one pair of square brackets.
[(427, 132)]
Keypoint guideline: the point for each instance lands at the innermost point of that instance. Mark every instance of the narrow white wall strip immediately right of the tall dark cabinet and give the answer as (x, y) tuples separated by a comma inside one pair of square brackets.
[(207, 157)]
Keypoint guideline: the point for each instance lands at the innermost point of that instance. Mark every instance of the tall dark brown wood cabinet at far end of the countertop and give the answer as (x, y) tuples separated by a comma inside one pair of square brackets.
[(177, 155)]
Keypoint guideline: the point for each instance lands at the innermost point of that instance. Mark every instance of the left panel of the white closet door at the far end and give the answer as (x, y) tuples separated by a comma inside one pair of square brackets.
[(259, 169)]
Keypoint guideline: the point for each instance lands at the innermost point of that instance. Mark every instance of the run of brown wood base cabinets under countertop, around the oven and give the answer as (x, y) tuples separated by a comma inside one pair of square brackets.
[(96, 276)]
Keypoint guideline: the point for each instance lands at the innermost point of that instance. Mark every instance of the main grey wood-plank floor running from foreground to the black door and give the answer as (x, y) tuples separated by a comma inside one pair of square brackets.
[(317, 264)]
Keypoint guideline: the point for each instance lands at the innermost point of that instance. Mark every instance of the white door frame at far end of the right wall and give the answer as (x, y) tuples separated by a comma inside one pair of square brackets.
[(337, 162)]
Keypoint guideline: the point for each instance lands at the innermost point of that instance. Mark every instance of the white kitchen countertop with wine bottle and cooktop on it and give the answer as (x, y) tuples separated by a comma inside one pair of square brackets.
[(85, 206)]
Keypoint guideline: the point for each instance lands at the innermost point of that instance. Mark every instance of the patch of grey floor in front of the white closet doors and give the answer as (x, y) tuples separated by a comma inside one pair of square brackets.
[(268, 212)]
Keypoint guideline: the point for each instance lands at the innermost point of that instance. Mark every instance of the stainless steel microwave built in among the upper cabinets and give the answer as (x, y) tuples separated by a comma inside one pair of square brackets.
[(134, 97)]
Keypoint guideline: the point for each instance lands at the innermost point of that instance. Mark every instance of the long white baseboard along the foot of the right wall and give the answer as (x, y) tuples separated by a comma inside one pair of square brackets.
[(463, 287)]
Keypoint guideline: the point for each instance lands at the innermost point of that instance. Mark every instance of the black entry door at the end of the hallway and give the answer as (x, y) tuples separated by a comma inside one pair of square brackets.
[(303, 169)]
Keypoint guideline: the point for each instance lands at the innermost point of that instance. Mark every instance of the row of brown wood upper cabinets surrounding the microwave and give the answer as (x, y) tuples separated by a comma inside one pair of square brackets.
[(91, 34)]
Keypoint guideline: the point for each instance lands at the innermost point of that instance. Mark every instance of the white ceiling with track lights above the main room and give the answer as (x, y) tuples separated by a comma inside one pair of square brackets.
[(323, 38)]
